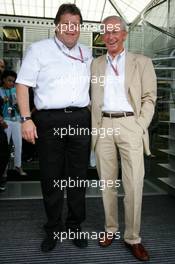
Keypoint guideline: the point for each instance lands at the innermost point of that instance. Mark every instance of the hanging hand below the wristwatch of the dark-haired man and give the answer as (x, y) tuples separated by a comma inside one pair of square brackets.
[(29, 132)]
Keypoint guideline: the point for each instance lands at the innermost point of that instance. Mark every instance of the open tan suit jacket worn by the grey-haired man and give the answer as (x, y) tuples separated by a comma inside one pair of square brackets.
[(141, 90)]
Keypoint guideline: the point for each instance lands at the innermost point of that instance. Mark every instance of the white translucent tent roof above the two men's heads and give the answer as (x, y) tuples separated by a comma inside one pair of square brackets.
[(92, 10)]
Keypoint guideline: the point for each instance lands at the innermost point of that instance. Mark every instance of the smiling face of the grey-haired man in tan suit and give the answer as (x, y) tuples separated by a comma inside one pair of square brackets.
[(114, 36)]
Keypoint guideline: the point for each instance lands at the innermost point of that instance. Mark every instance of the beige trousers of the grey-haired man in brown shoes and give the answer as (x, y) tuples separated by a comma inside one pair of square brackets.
[(123, 136)]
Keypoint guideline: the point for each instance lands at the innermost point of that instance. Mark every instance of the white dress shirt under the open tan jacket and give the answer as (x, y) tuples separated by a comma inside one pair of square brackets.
[(115, 98)]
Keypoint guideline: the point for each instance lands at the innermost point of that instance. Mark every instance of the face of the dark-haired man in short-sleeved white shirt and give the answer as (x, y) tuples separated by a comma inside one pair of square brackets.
[(68, 30)]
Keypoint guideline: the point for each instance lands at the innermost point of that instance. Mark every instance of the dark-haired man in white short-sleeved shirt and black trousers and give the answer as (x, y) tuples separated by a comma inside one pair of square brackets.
[(58, 69)]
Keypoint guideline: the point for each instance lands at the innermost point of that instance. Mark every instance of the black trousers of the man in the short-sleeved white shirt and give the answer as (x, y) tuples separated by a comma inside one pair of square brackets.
[(63, 157)]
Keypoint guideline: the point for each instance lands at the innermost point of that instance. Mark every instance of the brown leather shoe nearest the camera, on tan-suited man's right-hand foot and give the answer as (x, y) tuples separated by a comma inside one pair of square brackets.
[(138, 251)]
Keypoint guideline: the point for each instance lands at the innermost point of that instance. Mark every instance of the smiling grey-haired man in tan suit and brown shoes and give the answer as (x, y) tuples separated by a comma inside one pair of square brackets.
[(122, 105)]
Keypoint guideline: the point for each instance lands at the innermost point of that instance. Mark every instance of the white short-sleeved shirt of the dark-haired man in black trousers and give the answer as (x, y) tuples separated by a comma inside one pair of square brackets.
[(58, 80)]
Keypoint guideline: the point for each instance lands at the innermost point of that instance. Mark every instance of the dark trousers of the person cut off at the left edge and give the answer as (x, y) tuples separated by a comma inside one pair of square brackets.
[(4, 152)]
